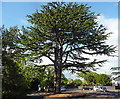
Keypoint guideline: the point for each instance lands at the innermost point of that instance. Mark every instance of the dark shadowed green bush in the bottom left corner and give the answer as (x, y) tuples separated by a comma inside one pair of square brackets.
[(13, 84)]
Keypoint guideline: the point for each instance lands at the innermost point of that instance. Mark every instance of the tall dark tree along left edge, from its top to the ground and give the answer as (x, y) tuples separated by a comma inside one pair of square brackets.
[(13, 83)]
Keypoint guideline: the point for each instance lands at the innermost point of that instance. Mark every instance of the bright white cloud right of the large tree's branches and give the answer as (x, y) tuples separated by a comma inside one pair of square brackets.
[(112, 26)]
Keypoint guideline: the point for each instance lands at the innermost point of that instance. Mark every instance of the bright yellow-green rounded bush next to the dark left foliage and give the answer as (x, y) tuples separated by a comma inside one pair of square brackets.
[(32, 74)]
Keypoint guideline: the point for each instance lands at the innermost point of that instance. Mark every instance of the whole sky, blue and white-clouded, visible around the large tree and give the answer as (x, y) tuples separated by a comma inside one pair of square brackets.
[(14, 13)]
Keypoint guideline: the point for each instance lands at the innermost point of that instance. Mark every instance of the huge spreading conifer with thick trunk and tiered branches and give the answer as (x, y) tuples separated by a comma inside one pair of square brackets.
[(63, 33)]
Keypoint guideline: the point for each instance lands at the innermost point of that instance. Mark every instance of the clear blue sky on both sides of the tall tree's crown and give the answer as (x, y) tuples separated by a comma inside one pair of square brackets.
[(14, 13)]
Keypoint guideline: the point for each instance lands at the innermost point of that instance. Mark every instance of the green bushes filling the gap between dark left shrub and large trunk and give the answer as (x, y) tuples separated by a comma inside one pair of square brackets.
[(35, 75)]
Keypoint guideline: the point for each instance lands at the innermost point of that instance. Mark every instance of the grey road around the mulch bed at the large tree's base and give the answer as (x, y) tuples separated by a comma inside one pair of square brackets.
[(89, 94)]
